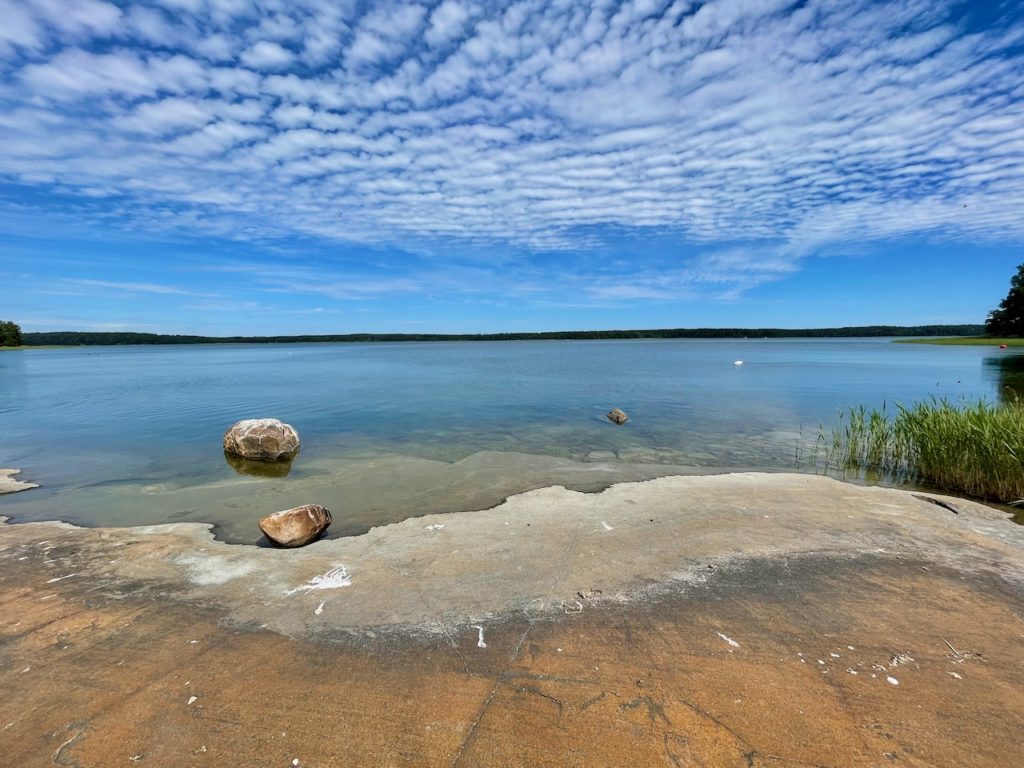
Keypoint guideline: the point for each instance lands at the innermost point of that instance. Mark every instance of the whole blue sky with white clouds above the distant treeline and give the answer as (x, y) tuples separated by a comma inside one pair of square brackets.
[(259, 167)]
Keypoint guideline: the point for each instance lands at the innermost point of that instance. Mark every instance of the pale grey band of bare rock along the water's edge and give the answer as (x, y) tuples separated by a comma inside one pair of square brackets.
[(537, 550)]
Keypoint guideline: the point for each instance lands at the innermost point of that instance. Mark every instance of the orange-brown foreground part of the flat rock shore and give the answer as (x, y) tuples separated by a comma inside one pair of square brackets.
[(839, 663)]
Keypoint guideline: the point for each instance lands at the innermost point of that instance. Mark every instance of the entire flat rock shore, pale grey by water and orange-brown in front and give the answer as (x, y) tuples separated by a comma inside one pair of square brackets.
[(729, 621)]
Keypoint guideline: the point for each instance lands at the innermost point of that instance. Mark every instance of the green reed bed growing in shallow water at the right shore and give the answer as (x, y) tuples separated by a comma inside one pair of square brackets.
[(972, 448)]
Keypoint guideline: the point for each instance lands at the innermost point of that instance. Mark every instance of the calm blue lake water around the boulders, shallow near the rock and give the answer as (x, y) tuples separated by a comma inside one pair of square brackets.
[(133, 436)]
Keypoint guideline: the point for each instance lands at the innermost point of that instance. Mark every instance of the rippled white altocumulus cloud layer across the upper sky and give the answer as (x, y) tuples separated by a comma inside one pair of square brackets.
[(530, 125)]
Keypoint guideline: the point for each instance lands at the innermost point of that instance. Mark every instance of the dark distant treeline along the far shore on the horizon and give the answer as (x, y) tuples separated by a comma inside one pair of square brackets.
[(77, 338)]
